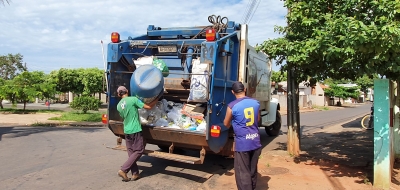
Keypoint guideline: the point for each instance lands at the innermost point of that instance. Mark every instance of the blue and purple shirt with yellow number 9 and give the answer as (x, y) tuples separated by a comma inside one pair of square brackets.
[(245, 123)]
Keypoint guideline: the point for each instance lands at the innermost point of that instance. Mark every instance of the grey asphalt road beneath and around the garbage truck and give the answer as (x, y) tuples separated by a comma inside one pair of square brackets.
[(77, 158)]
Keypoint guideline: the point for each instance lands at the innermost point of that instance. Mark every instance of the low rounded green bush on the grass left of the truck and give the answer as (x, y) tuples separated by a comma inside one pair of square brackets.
[(85, 103)]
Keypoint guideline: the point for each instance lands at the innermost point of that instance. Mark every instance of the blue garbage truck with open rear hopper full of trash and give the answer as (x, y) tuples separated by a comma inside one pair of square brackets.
[(199, 66)]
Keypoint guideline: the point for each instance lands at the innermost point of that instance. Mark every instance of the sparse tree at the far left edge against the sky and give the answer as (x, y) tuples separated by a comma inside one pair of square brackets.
[(10, 66)]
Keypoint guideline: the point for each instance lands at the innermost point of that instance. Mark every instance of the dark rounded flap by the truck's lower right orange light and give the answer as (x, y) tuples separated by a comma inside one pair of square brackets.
[(217, 143)]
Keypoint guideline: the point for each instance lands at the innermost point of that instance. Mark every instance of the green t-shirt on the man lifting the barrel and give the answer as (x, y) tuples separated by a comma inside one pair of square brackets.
[(128, 110)]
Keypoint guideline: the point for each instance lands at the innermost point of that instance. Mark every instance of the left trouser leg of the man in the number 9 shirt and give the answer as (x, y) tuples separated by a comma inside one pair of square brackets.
[(242, 171)]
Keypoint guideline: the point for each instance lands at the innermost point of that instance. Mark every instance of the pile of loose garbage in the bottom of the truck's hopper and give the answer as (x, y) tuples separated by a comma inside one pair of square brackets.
[(172, 115)]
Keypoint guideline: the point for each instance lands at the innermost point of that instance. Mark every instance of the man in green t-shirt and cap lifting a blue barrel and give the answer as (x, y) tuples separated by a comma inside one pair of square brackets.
[(128, 109)]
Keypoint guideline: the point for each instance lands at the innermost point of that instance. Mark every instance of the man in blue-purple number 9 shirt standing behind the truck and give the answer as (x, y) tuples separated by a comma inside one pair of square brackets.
[(244, 115)]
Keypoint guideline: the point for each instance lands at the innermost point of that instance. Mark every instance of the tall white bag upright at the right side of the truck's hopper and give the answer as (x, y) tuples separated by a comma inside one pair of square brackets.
[(199, 82)]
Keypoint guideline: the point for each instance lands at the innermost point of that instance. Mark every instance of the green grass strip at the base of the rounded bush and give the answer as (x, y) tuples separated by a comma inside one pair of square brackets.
[(79, 116)]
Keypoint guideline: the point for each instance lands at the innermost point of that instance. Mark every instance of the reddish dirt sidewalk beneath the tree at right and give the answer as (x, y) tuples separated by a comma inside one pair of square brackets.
[(338, 158)]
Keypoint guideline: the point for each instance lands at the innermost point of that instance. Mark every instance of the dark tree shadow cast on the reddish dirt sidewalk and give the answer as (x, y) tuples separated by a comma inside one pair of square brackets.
[(346, 151)]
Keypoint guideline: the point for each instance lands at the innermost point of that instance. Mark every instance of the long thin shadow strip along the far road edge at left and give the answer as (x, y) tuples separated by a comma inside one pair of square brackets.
[(12, 131)]
